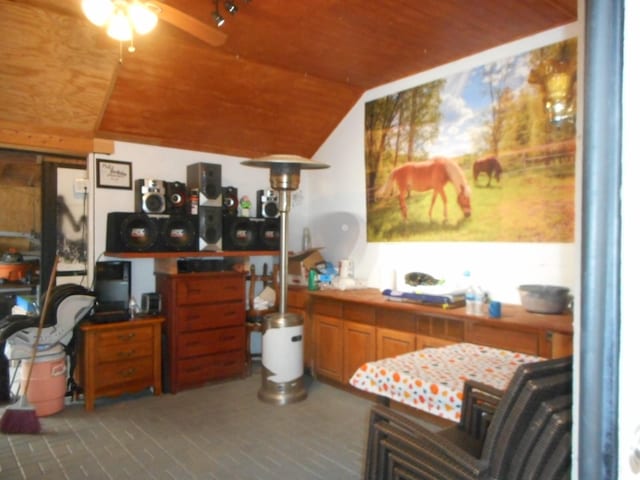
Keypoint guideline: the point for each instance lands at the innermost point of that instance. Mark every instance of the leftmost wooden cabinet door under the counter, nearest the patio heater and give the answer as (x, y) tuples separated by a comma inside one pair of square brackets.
[(329, 347)]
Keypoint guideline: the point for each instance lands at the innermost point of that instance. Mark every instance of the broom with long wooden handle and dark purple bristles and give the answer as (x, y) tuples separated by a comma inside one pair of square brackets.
[(21, 417)]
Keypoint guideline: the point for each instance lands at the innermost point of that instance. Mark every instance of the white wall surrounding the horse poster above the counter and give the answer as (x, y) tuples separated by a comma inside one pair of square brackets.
[(500, 267)]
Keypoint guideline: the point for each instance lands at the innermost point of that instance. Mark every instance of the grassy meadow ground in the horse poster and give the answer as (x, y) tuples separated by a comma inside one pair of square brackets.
[(532, 205)]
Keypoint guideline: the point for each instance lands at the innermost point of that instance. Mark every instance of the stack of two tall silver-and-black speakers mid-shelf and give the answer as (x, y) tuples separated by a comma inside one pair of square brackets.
[(207, 179)]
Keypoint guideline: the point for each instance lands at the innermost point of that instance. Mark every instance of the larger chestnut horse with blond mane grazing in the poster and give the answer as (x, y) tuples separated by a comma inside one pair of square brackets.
[(429, 175)]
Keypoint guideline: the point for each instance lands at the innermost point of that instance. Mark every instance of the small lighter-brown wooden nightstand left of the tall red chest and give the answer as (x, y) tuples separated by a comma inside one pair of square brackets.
[(120, 357)]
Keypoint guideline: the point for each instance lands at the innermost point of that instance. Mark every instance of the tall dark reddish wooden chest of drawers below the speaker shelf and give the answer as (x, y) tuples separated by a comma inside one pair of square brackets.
[(205, 333)]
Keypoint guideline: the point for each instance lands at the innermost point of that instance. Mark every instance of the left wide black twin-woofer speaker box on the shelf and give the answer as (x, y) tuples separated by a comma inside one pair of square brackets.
[(141, 232)]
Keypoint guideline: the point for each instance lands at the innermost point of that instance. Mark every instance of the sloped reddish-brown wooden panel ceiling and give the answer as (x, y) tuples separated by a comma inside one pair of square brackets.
[(285, 77)]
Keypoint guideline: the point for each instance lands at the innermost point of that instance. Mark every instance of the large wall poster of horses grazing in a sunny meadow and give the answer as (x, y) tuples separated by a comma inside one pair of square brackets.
[(475, 156)]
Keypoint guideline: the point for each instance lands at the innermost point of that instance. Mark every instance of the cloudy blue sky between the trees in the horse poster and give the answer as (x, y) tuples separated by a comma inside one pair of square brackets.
[(465, 106)]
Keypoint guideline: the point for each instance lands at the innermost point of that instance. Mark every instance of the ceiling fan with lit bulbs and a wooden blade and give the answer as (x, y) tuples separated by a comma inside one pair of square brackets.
[(124, 17)]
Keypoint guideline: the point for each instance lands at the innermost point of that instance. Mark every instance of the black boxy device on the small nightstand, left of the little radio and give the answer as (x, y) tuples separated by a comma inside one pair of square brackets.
[(113, 286)]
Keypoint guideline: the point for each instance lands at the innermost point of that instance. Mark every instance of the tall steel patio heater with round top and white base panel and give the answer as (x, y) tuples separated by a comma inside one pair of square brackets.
[(282, 345)]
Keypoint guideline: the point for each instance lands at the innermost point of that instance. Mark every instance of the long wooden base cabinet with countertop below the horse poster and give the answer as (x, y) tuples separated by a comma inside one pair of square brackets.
[(353, 327)]
